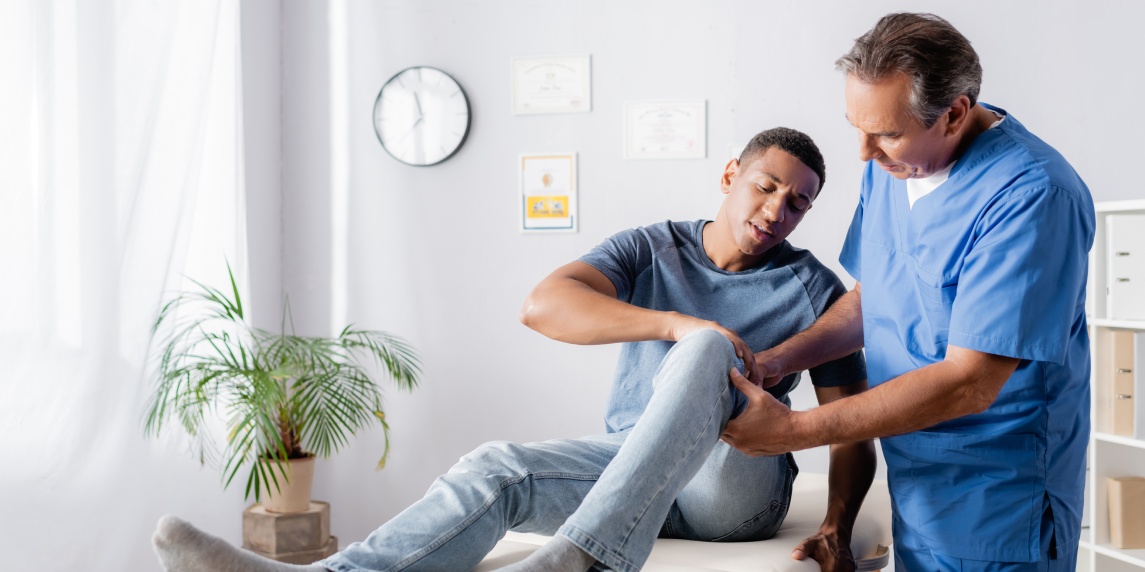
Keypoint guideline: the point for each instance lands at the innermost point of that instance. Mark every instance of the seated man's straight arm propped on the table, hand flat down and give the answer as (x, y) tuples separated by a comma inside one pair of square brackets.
[(851, 474)]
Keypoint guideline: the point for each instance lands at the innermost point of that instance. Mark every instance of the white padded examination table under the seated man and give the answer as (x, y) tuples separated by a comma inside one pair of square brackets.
[(871, 539)]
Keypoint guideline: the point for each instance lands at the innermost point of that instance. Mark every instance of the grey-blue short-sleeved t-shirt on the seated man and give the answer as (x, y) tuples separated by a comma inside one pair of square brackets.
[(665, 267)]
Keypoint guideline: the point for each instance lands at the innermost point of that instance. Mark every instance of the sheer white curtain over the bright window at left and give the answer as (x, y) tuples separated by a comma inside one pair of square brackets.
[(121, 174)]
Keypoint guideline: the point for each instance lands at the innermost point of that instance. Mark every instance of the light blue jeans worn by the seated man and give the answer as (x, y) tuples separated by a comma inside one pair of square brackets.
[(612, 495)]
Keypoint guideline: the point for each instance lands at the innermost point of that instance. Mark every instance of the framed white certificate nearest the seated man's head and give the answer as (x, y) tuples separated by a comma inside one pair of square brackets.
[(666, 130)]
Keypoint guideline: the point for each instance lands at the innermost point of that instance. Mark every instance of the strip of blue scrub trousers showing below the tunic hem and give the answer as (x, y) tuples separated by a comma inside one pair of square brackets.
[(912, 555)]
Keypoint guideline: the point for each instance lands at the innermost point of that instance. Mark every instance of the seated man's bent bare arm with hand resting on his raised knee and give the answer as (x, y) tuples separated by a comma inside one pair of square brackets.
[(578, 305)]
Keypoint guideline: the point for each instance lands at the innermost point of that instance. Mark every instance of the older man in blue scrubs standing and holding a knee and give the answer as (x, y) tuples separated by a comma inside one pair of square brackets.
[(970, 248)]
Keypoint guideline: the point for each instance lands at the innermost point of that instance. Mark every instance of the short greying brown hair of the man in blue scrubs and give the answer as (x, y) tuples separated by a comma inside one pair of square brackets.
[(939, 61)]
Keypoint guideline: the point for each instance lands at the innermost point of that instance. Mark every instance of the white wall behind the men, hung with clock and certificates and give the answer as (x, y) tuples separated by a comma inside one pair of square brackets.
[(433, 255)]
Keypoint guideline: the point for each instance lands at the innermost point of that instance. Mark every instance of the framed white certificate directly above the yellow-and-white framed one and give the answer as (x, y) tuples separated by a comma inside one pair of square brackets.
[(552, 85)]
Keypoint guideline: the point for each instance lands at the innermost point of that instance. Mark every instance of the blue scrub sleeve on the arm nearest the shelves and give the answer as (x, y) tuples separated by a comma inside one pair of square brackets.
[(1017, 293)]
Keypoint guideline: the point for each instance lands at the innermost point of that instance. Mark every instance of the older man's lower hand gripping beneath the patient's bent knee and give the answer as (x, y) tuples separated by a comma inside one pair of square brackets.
[(767, 427)]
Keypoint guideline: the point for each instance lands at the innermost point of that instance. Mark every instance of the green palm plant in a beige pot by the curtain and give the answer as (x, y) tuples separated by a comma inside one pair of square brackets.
[(285, 399)]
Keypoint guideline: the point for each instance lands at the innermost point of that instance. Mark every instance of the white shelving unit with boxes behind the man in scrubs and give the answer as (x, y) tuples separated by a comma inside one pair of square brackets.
[(1110, 455)]
